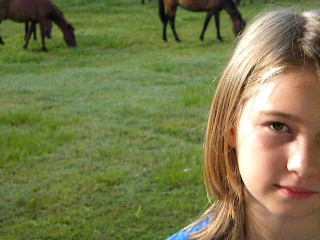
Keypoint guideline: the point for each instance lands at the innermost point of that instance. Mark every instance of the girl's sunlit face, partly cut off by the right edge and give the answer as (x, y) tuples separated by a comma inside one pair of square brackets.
[(277, 141)]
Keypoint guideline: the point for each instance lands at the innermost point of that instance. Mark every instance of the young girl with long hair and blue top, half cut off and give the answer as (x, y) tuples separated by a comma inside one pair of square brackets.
[(262, 148)]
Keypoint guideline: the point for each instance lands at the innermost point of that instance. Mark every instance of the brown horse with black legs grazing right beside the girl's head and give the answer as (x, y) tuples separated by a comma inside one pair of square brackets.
[(212, 7)]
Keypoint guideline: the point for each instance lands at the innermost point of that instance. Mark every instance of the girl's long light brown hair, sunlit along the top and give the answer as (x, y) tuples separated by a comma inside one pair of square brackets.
[(270, 45)]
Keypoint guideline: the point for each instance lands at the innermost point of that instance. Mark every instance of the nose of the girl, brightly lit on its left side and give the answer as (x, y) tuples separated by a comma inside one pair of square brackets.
[(304, 160)]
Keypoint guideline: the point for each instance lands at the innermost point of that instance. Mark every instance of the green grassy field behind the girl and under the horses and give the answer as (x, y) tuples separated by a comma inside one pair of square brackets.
[(105, 141)]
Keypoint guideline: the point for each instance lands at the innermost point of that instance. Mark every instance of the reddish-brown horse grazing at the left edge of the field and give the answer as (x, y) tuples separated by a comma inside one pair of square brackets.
[(37, 11)]
